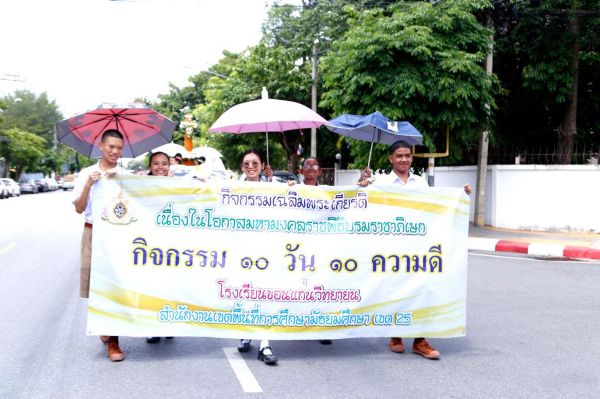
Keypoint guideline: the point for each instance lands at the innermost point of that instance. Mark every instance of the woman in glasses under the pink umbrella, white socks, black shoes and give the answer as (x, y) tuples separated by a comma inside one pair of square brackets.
[(252, 167)]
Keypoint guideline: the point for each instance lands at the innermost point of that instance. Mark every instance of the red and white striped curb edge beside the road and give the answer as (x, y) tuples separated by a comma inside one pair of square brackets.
[(533, 248)]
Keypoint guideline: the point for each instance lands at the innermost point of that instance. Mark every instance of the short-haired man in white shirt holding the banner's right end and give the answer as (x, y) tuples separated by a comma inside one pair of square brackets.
[(401, 160)]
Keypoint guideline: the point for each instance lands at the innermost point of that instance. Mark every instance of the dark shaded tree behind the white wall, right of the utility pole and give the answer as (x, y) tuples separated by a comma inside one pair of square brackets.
[(548, 61)]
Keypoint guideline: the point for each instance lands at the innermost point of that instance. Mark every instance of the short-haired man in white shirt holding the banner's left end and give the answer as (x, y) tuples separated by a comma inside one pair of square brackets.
[(111, 148)]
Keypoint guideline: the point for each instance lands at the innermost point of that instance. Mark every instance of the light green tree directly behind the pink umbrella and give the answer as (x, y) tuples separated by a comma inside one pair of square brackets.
[(282, 64)]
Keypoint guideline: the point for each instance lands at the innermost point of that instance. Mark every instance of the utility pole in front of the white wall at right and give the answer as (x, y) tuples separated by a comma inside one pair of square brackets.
[(483, 143)]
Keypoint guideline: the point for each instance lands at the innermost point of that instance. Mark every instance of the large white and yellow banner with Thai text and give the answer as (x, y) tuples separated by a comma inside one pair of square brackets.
[(177, 257)]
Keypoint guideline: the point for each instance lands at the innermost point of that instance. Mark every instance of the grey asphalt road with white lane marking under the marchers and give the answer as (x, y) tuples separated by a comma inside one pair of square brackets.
[(532, 333)]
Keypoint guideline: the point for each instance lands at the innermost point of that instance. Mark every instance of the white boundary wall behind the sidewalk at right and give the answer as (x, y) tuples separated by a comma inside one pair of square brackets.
[(534, 197)]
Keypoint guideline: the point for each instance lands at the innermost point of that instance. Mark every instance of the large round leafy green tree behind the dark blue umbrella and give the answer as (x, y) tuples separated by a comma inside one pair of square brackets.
[(418, 62)]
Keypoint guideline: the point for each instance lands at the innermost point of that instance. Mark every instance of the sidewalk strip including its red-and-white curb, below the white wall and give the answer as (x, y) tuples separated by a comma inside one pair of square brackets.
[(549, 244)]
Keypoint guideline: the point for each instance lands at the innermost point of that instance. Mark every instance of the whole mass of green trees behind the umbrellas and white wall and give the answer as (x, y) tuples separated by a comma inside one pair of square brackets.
[(412, 60)]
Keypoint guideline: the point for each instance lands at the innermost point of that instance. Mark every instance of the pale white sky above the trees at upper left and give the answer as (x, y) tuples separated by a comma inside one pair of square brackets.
[(86, 52)]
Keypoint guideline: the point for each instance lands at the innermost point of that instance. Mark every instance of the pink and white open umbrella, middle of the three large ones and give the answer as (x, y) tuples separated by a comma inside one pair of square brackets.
[(266, 115)]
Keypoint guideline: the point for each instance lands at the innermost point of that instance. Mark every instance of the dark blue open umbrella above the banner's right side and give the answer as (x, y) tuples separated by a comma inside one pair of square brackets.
[(376, 128)]
